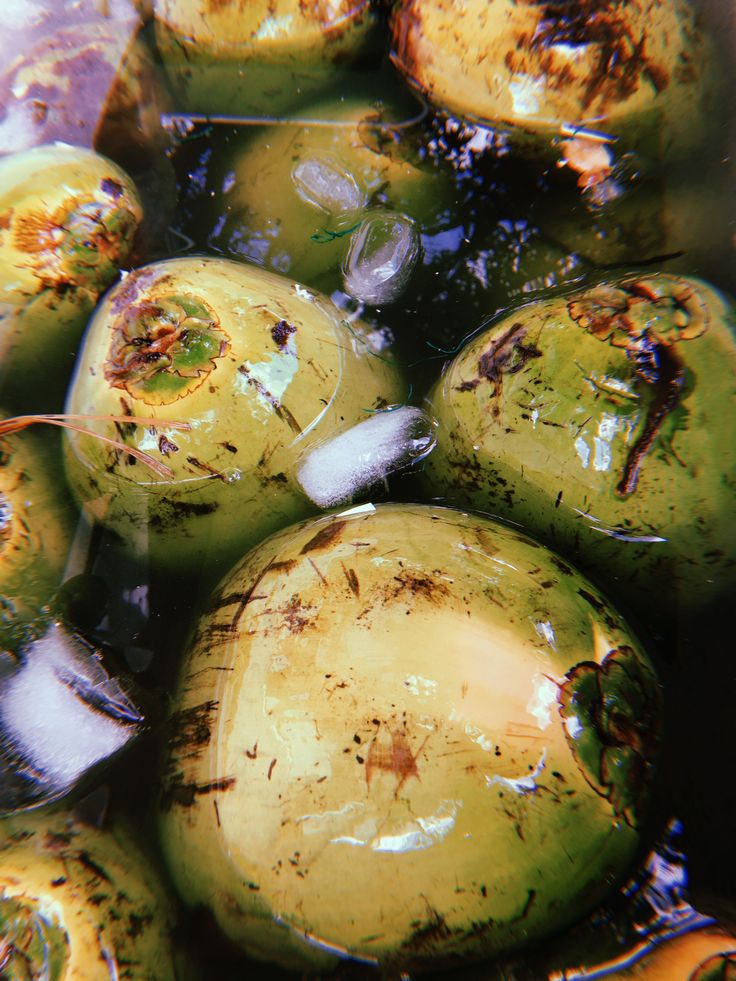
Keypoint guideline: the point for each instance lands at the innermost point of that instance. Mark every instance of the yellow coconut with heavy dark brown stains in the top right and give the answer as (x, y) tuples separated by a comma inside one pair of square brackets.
[(635, 70)]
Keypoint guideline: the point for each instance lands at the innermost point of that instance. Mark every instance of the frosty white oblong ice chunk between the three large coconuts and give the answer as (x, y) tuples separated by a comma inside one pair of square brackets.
[(334, 472)]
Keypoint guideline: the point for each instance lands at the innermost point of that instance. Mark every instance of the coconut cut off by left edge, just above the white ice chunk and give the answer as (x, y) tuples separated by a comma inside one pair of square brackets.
[(36, 528)]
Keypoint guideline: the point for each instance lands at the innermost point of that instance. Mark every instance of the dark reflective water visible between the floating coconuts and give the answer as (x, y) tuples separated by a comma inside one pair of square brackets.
[(487, 252)]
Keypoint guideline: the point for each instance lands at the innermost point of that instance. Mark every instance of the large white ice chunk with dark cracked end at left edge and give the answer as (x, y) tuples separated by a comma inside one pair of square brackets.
[(60, 714)]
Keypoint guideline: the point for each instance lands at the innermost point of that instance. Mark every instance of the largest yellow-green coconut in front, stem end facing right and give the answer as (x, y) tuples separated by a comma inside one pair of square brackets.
[(405, 735)]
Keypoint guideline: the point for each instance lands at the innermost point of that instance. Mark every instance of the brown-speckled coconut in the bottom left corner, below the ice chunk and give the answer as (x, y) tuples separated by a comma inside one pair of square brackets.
[(79, 904)]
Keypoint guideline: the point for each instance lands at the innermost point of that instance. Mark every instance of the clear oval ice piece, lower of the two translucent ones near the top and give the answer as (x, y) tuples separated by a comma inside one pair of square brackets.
[(381, 258)]
